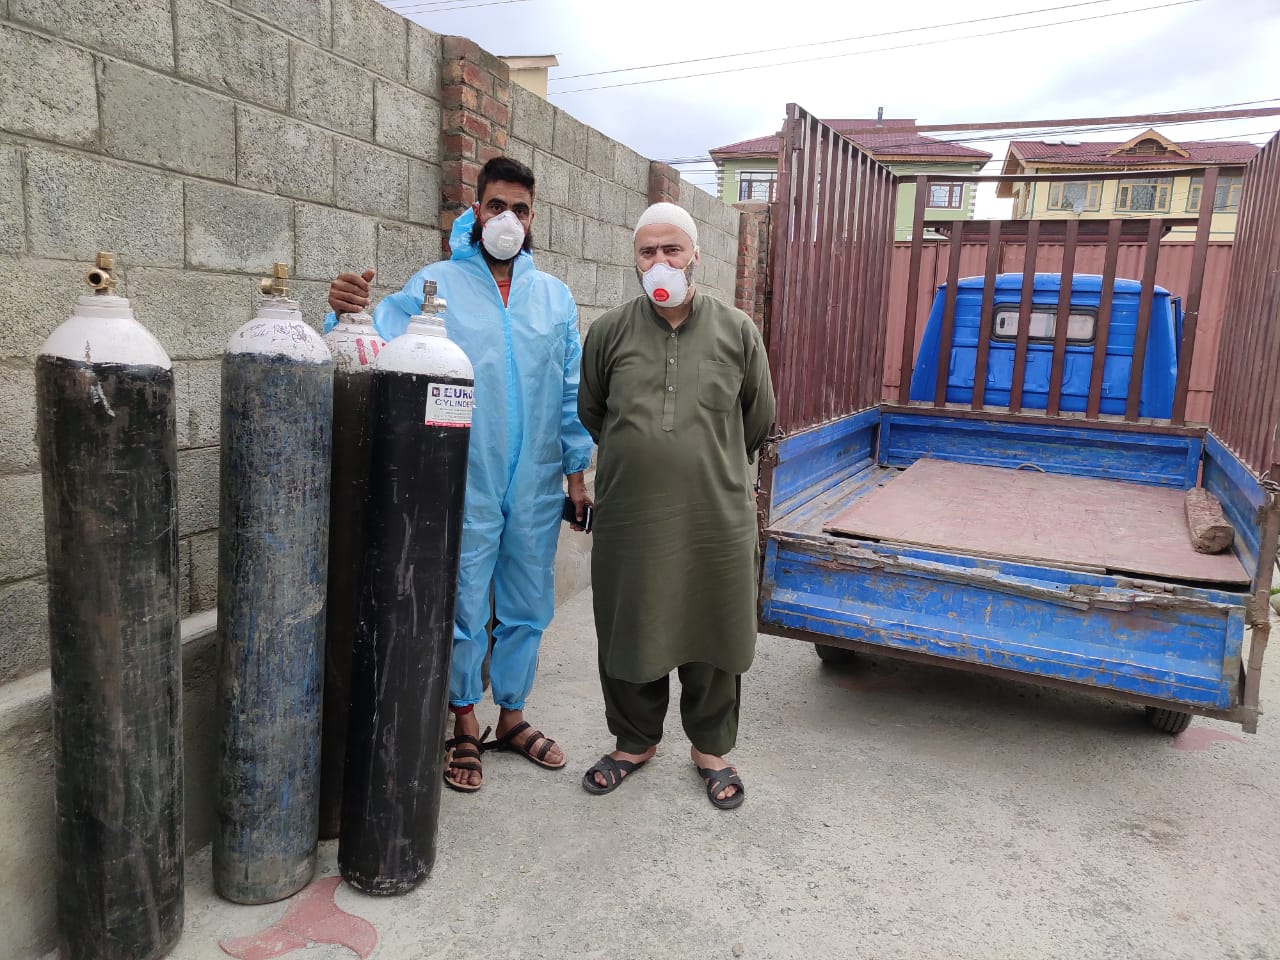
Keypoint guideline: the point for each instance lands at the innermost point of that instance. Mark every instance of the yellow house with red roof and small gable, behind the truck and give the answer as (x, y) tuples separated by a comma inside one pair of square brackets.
[(1167, 193)]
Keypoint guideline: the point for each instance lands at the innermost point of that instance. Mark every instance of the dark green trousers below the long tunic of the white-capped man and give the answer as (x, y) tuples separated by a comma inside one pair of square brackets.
[(710, 702)]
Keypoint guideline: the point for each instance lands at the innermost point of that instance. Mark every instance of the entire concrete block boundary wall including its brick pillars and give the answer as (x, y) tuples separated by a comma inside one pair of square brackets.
[(202, 141)]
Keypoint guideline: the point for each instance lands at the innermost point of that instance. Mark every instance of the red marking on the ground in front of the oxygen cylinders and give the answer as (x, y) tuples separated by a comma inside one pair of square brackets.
[(313, 918)]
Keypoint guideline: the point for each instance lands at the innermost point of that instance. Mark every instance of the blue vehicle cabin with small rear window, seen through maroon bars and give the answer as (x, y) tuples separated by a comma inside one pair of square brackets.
[(1159, 373)]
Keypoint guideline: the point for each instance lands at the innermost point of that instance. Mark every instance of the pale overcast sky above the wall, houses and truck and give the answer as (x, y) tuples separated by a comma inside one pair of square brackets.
[(1155, 57)]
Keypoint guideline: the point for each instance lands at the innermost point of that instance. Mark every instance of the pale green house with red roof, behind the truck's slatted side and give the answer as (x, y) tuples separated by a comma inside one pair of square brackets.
[(749, 170)]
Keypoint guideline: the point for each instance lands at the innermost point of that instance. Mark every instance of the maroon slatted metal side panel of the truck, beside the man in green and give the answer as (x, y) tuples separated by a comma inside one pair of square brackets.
[(830, 252)]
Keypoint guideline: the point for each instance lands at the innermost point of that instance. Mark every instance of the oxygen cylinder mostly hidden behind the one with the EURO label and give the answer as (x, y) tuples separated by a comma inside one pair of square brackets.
[(355, 346)]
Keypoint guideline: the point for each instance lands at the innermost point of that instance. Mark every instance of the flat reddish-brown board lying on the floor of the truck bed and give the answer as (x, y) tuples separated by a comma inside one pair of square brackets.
[(1040, 518)]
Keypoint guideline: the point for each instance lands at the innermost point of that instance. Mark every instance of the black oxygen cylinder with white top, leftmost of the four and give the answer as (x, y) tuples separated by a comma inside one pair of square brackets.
[(109, 455)]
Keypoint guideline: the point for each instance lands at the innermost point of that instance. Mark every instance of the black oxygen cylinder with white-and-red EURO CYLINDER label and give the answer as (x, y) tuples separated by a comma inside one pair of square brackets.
[(400, 674)]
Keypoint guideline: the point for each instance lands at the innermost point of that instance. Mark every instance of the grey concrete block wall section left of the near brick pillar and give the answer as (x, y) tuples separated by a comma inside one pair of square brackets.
[(200, 141)]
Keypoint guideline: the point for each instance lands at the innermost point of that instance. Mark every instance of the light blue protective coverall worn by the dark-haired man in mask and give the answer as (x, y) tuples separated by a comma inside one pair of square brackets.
[(525, 437)]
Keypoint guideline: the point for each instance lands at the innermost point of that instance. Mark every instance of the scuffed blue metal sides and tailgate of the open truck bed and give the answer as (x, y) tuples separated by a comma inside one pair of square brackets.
[(1165, 643)]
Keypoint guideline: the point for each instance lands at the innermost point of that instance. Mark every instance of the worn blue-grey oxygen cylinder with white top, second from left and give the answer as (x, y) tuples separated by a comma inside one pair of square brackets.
[(273, 556)]
